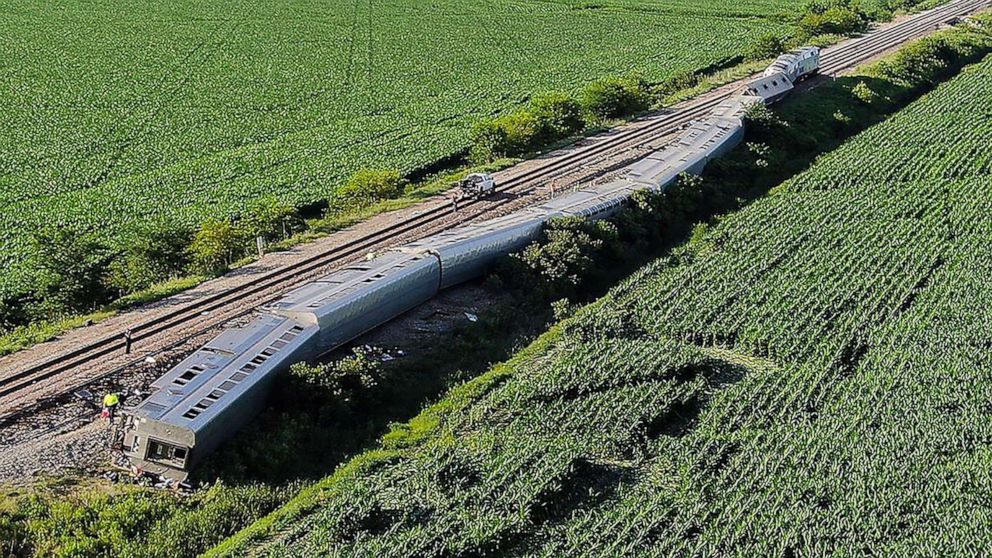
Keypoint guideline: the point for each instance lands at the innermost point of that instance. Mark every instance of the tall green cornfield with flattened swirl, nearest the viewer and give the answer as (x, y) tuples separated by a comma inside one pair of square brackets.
[(813, 377)]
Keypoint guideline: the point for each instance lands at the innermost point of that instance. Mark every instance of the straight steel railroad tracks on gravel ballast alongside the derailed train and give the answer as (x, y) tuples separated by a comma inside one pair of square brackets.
[(434, 218)]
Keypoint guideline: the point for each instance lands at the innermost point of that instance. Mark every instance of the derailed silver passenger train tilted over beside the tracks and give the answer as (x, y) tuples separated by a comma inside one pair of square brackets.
[(205, 399)]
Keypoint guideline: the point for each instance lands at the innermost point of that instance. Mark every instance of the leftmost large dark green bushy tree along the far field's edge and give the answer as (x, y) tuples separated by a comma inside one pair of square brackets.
[(70, 270)]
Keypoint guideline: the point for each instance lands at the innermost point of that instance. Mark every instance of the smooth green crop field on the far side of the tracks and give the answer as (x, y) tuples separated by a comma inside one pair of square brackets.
[(115, 113)]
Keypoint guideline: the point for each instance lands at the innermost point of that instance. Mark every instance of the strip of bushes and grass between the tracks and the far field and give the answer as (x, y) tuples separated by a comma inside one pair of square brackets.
[(76, 272)]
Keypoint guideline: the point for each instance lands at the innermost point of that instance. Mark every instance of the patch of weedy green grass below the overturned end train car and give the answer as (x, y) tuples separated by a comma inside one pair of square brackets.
[(77, 517)]
